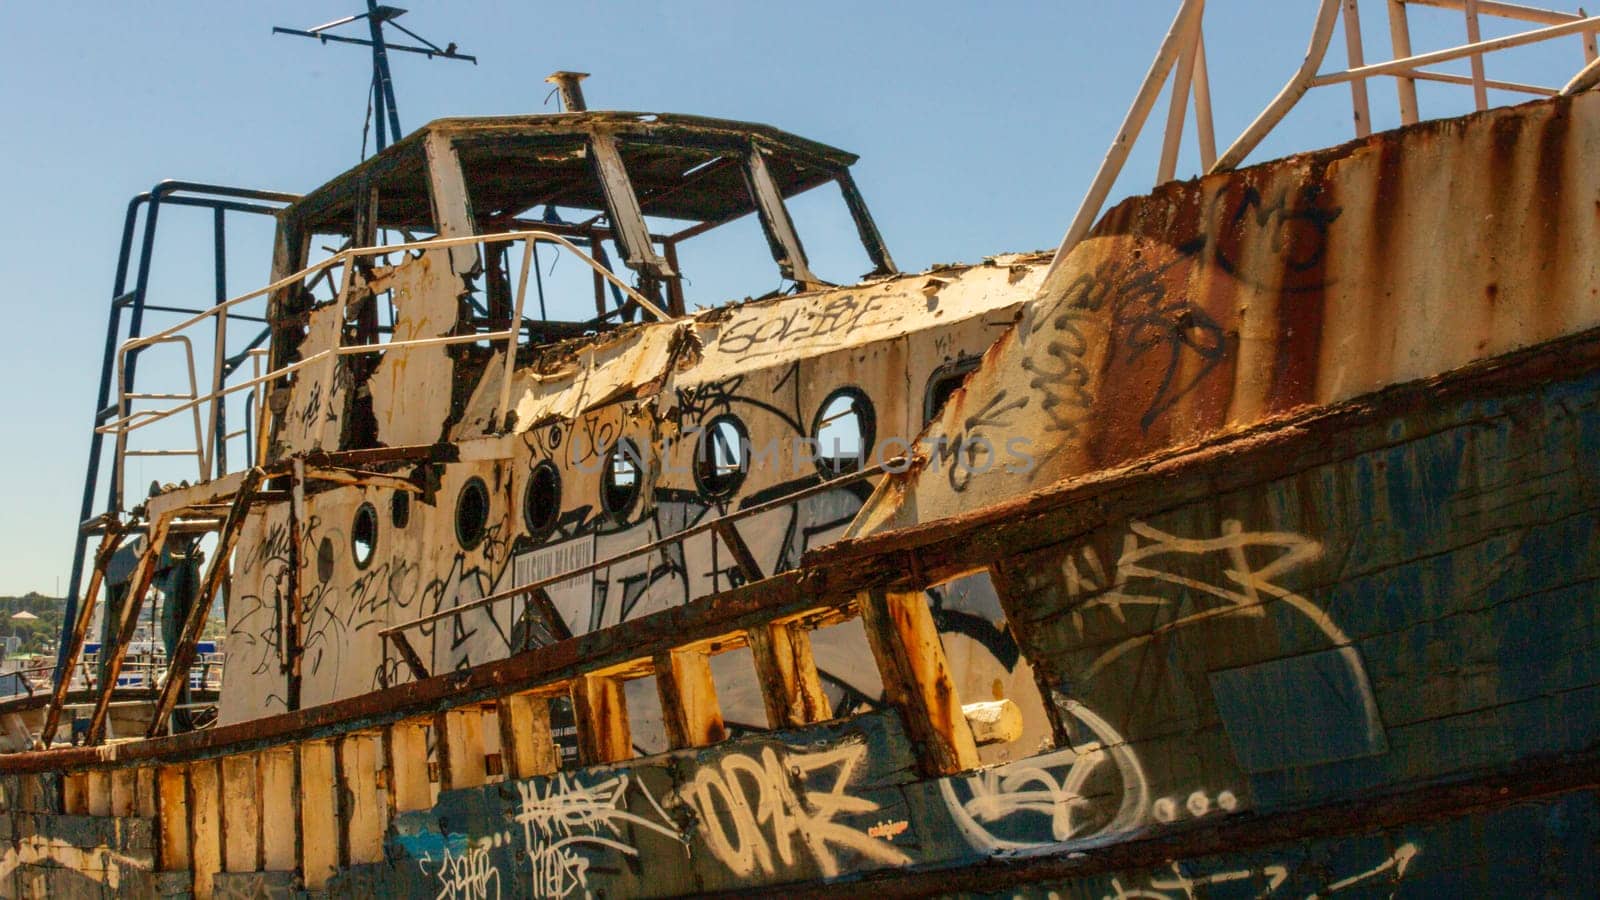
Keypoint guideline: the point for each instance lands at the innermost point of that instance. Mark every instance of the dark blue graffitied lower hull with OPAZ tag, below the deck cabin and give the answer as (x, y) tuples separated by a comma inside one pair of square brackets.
[(1449, 529)]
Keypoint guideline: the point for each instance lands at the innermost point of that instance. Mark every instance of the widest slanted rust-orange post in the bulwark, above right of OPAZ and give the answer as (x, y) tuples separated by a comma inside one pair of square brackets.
[(918, 678)]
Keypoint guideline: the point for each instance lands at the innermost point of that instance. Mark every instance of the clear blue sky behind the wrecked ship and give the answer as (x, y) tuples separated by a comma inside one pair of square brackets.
[(978, 129)]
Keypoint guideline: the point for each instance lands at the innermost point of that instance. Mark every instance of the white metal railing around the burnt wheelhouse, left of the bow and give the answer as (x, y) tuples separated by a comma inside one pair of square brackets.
[(193, 403)]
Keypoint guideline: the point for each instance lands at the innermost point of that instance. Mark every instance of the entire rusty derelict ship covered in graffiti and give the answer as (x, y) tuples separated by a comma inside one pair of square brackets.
[(1249, 545)]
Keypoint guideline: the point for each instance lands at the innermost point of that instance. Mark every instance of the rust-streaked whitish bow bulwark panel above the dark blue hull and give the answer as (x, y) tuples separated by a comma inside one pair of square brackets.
[(1215, 305)]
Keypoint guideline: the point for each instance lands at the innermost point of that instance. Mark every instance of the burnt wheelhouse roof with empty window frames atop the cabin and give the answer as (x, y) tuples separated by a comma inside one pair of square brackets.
[(462, 177)]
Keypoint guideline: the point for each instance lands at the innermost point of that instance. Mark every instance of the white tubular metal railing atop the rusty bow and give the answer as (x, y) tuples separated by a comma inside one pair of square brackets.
[(1183, 57)]
